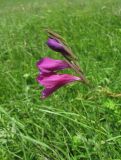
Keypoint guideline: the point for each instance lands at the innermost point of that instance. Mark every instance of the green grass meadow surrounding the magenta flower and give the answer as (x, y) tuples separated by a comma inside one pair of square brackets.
[(76, 122)]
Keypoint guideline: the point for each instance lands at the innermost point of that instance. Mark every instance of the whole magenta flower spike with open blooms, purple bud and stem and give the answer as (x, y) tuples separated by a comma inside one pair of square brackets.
[(48, 77)]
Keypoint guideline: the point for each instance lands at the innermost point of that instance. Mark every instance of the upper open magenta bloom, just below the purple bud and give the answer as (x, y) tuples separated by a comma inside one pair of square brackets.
[(47, 65)]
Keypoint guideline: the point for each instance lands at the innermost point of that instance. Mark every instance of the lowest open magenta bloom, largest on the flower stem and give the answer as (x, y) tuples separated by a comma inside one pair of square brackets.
[(54, 81)]
